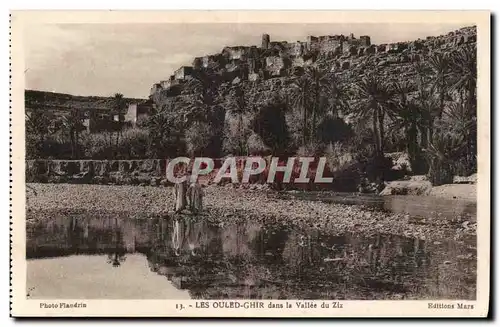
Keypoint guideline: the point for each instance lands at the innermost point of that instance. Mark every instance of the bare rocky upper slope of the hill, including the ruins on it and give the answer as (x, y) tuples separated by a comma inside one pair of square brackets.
[(268, 70)]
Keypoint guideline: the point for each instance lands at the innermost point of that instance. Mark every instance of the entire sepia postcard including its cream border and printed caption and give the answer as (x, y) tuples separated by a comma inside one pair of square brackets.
[(250, 163)]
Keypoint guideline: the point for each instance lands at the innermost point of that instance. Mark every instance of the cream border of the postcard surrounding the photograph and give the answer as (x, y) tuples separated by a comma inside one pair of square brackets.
[(21, 306)]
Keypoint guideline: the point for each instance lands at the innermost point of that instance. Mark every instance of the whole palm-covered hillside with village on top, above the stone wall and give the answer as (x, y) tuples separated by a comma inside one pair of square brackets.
[(335, 96)]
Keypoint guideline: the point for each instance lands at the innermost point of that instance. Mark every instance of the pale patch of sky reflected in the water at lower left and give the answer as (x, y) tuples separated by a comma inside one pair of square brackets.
[(91, 277)]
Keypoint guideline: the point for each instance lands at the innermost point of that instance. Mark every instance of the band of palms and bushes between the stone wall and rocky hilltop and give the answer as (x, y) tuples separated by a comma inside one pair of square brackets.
[(433, 118)]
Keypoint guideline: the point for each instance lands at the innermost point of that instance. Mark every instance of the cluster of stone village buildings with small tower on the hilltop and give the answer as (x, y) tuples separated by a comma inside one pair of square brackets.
[(272, 59)]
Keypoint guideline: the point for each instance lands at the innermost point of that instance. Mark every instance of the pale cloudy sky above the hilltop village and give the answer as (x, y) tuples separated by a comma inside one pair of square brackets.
[(104, 59)]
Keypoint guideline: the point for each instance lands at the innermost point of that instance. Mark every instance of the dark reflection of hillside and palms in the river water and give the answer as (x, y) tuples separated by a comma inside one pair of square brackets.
[(252, 260)]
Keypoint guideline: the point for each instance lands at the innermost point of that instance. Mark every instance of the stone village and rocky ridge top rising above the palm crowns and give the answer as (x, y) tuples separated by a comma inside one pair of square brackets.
[(347, 56)]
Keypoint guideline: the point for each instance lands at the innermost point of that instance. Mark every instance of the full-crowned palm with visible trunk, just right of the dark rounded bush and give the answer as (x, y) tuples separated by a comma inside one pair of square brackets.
[(374, 100)]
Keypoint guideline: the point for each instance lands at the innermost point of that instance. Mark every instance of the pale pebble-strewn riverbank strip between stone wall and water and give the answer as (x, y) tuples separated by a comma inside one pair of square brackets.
[(228, 204)]
